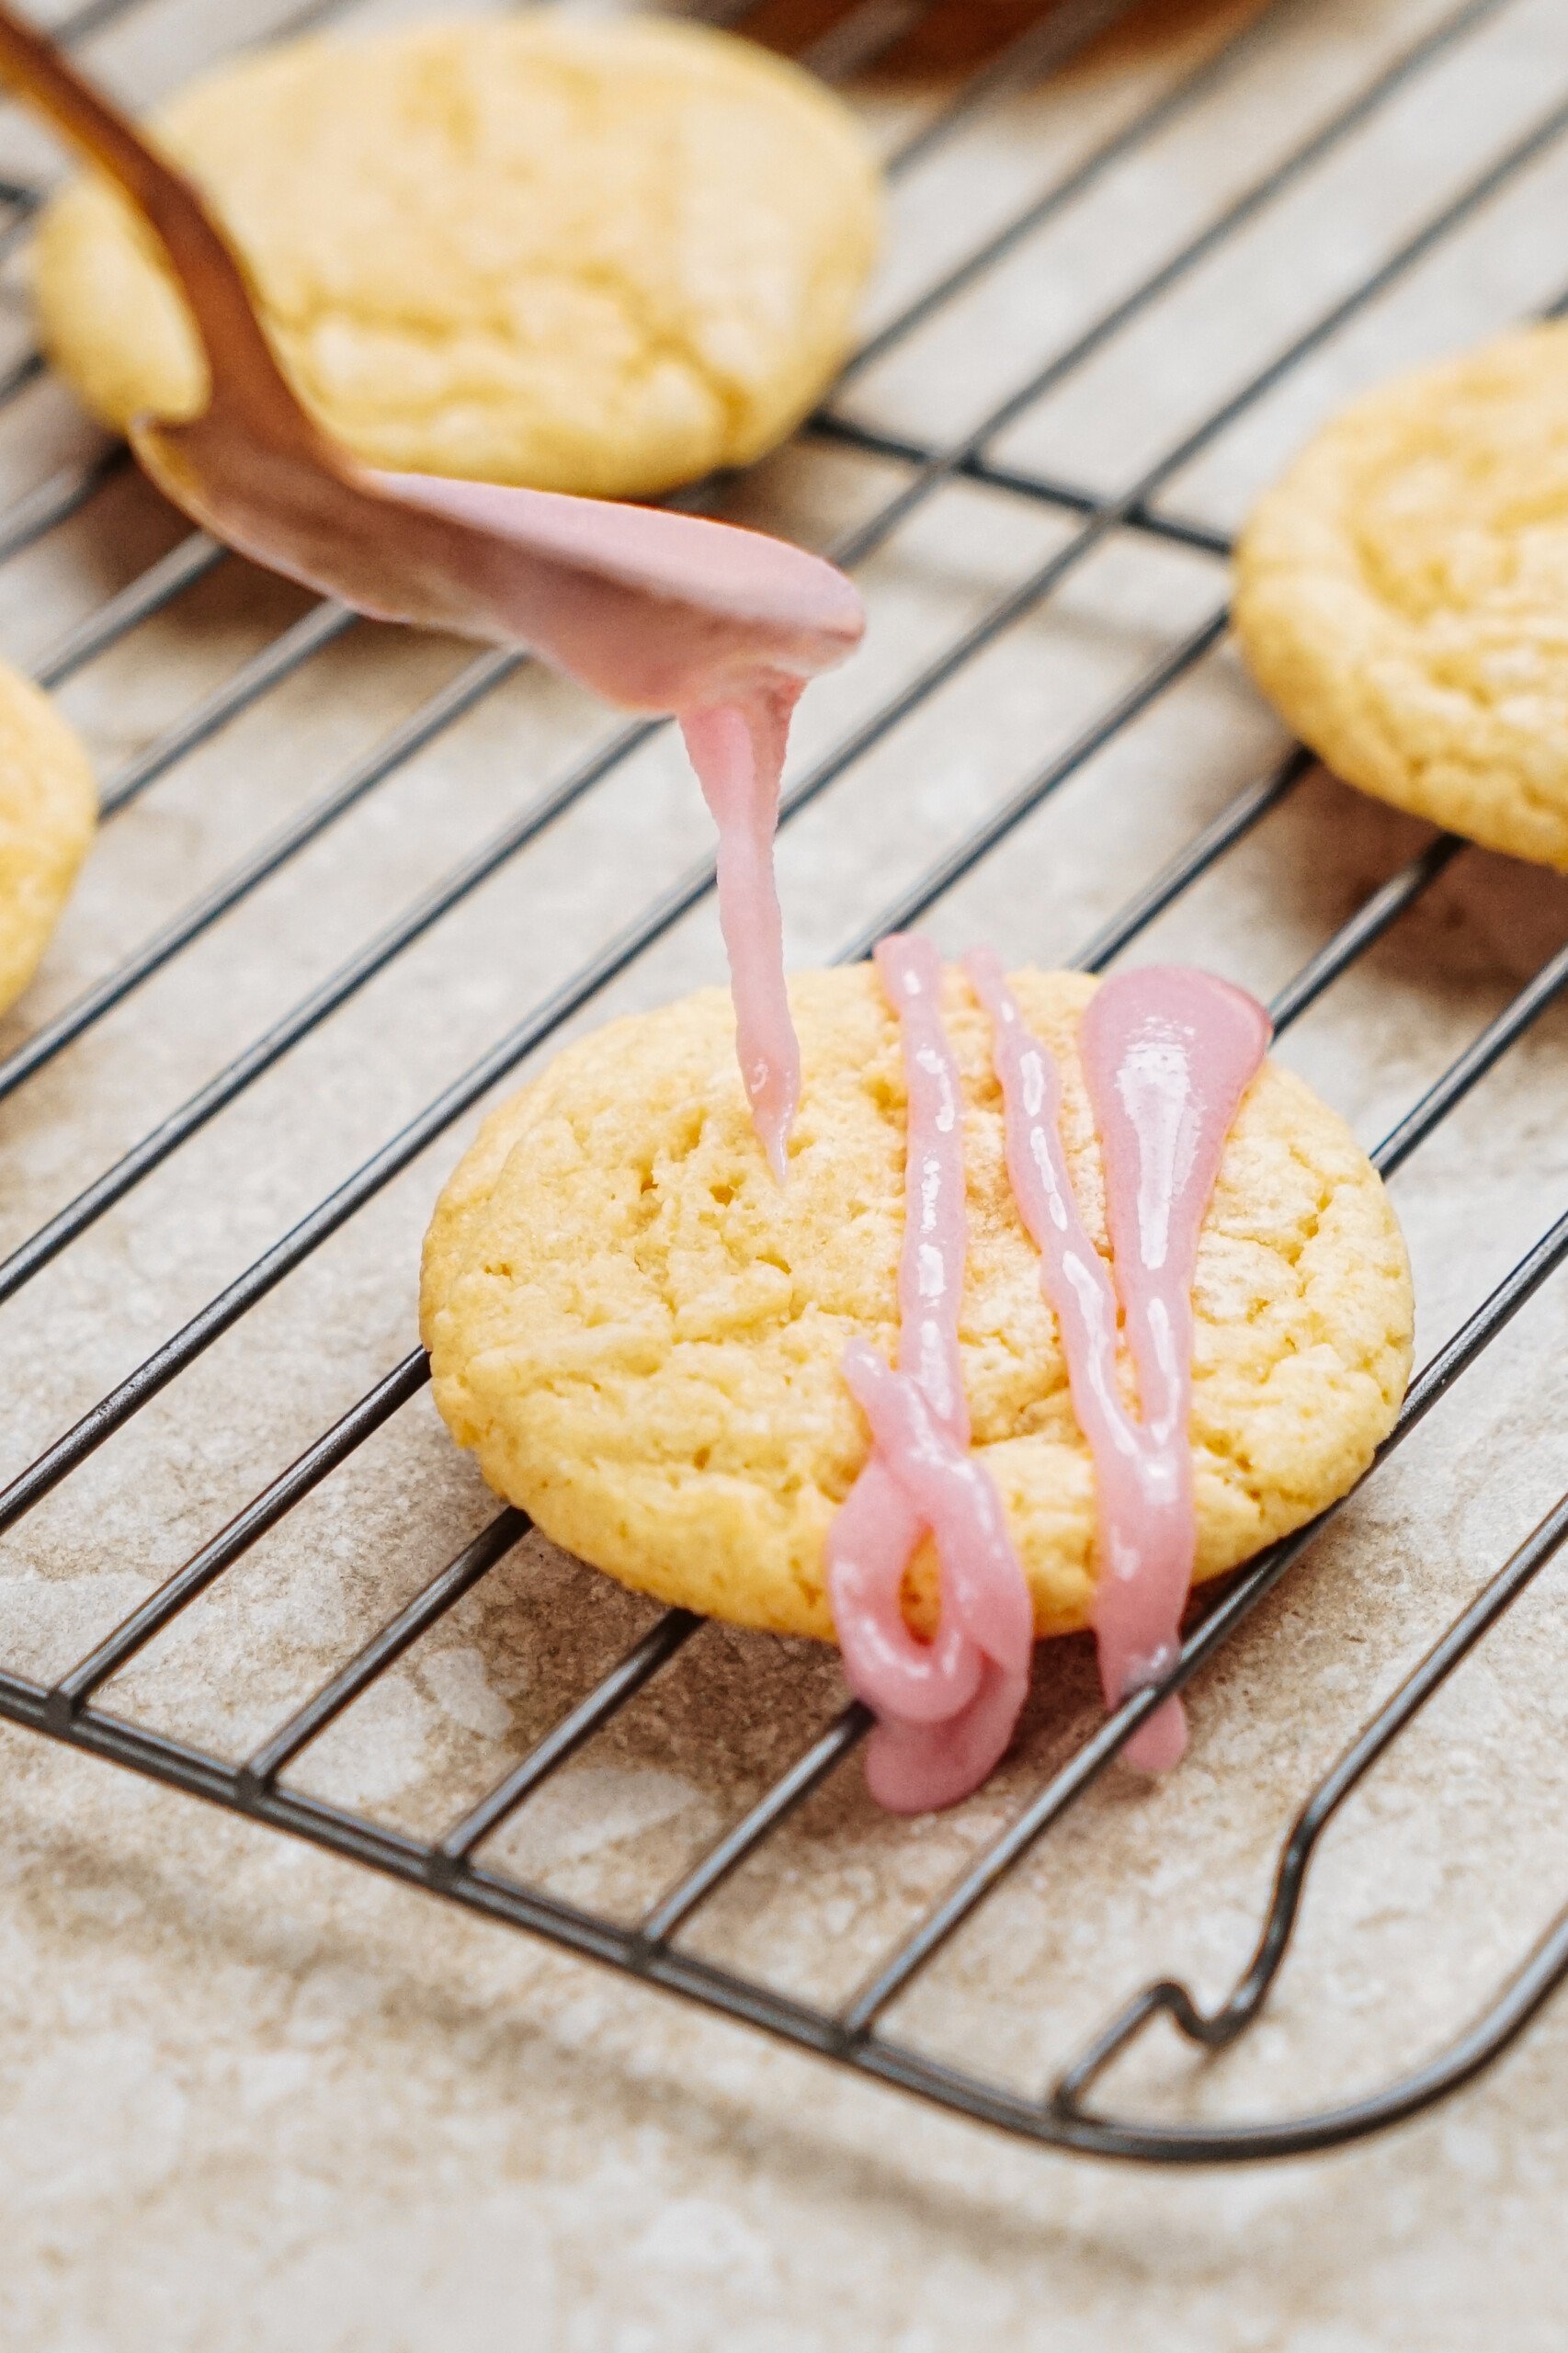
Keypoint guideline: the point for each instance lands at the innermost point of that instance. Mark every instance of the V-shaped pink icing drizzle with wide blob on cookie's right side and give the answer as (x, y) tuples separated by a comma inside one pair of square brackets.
[(1167, 1058)]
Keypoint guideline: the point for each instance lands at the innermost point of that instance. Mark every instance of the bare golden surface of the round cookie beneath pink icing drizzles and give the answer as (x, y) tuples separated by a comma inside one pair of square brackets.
[(642, 1335)]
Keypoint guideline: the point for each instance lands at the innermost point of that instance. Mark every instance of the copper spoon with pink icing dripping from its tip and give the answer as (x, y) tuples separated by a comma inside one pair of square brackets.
[(656, 611)]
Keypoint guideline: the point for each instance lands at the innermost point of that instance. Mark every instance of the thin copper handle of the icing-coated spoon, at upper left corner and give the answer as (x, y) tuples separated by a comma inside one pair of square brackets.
[(241, 364)]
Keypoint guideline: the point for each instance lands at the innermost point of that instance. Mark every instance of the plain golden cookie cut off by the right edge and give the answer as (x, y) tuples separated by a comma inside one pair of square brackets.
[(1402, 594)]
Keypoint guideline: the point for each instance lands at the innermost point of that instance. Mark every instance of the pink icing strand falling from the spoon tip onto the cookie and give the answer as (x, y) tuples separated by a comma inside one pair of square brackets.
[(738, 752)]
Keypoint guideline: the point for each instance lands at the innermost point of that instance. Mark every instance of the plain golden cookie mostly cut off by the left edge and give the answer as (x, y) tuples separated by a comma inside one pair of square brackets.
[(48, 813)]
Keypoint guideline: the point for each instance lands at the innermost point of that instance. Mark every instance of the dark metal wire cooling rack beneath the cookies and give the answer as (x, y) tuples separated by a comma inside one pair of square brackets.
[(451, 1867)]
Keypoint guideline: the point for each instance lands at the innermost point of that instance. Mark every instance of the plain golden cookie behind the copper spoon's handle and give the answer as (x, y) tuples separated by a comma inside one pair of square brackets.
[(526, 251)]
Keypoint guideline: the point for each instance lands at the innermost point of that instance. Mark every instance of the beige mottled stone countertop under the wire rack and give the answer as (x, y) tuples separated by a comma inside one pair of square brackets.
[(253, 2098)]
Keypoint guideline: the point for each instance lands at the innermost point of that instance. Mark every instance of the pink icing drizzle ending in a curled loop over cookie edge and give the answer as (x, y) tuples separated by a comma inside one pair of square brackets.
[(945, 1707)]
